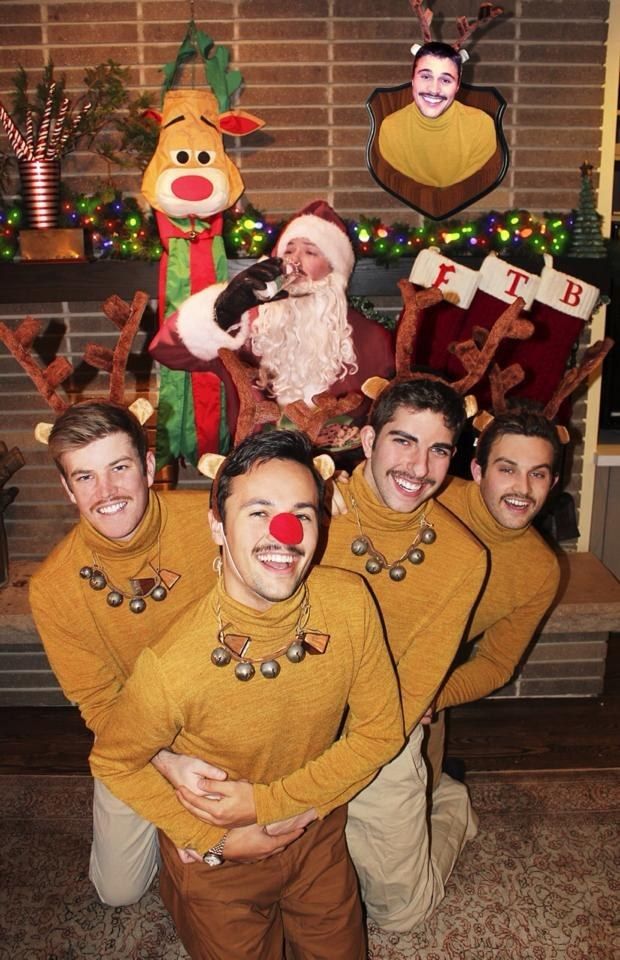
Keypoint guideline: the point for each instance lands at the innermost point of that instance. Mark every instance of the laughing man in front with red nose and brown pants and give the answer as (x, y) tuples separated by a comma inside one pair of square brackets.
[(258, 676)]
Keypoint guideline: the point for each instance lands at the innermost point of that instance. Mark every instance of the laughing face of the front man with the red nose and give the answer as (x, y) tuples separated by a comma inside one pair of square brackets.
[(258, 568)]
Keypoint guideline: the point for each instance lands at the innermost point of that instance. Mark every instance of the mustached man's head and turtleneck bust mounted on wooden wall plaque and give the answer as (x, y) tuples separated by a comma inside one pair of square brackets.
[(436, 140)]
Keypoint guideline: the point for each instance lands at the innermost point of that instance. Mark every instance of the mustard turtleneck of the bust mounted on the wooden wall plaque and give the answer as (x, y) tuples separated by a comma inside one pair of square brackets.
[(438, 152)]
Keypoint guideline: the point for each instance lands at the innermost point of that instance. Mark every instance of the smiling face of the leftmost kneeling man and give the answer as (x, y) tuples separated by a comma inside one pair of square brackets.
[(107, 482)]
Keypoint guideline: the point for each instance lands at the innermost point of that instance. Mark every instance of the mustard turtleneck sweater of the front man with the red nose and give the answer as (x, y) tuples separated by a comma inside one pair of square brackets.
[(280, 734)]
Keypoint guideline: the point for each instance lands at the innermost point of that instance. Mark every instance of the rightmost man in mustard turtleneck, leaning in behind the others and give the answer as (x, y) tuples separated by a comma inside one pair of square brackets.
[(515, 468)]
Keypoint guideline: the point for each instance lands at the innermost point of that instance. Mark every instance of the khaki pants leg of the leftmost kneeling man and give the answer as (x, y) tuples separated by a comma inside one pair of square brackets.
[(124, 856)]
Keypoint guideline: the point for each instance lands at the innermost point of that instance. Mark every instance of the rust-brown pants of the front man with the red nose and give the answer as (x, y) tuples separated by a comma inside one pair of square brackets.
[(306, 895)]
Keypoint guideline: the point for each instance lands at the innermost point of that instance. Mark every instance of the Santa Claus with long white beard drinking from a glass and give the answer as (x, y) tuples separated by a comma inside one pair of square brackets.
[(288, 317)]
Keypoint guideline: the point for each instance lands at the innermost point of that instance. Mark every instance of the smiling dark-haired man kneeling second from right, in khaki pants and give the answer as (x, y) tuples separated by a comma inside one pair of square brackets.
[(425, 571)]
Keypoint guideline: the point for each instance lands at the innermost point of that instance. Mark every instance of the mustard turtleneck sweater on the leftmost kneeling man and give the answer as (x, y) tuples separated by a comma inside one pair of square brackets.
[(91, 646)]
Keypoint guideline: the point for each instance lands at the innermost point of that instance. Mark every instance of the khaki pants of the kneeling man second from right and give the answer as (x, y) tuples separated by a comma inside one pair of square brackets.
[(402, 864)]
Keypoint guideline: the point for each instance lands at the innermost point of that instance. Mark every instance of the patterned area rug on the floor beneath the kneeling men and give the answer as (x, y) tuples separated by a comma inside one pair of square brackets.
[(540, 882)]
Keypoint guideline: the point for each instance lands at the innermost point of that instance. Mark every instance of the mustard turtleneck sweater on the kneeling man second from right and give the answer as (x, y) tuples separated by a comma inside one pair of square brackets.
[(425, 614)]
